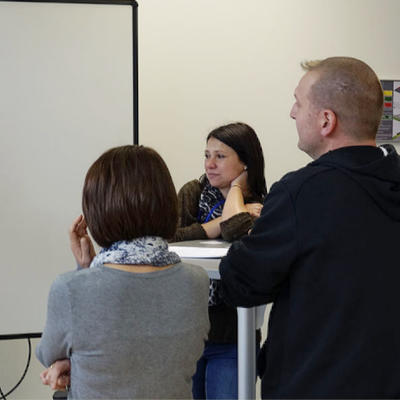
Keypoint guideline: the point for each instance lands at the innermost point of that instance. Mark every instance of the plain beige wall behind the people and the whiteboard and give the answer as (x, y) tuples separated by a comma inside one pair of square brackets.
[(206, 63)]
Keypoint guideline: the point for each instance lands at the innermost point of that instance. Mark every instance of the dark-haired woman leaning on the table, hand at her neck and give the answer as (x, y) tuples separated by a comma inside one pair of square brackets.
[(224, 202)]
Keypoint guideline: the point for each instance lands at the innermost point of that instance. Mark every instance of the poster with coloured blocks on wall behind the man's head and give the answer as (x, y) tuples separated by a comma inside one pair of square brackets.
[(389, 128)]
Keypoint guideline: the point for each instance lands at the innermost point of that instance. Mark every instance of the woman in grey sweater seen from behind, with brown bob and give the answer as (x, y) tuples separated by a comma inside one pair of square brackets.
[(133, 325)]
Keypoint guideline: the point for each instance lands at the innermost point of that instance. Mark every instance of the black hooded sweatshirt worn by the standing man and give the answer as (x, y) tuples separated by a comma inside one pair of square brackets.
[(326, 252)]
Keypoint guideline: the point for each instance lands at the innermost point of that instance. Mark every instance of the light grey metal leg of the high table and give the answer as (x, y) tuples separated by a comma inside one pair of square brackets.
[(246, 353)]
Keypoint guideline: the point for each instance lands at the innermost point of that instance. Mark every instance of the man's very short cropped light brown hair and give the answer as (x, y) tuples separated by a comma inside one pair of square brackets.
[(351, 89)]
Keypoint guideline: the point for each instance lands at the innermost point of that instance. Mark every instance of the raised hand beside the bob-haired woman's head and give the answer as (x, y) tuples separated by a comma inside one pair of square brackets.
[(81, 244)]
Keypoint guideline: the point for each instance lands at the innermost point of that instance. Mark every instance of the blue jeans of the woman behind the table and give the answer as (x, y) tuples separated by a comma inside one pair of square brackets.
[(216, 373)]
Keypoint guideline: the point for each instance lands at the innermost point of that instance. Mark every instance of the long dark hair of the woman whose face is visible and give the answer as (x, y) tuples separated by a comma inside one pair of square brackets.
[(243, 139)]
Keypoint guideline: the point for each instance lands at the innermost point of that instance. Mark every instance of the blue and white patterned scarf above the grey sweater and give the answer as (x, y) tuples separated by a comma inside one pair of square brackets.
[(147, 250)]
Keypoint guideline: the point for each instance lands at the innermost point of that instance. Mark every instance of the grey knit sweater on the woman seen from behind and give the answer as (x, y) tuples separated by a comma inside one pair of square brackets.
[(127, 335)]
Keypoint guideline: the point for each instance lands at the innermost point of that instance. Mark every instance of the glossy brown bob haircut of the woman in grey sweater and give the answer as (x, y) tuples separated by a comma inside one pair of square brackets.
[(128, 193)]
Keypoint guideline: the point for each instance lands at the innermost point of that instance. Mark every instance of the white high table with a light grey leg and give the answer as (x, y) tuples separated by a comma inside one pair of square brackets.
[(207, 254)]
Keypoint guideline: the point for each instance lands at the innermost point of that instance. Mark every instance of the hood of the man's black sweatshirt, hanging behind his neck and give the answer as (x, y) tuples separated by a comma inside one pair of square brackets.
[(375, 170)]
